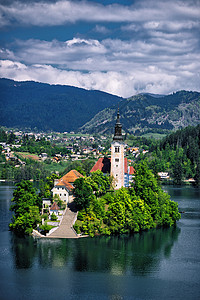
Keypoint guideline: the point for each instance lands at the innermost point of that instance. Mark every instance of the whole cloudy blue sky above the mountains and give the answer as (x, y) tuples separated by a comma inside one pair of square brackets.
[(121, 47)]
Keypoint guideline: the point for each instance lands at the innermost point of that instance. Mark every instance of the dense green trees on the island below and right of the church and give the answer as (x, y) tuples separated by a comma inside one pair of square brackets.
[(141, 207)]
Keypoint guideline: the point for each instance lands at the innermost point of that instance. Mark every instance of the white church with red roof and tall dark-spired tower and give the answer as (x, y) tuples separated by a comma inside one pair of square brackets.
[(117, 165)]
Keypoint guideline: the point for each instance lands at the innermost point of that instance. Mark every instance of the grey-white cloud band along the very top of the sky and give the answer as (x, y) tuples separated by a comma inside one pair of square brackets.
[(61, 12)]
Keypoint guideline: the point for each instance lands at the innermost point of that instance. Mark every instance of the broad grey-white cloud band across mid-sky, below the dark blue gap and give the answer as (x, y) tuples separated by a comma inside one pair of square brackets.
[(109, 54)]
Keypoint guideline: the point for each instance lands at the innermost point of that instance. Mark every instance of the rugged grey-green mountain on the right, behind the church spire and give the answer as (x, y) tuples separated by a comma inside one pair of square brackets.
[(148, 113)]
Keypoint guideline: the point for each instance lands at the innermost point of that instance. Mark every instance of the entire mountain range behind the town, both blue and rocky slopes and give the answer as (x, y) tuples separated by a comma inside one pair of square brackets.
[(65, 108)]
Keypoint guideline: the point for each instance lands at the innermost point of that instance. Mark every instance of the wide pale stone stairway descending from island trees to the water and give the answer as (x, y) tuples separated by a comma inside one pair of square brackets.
[(64, 230)]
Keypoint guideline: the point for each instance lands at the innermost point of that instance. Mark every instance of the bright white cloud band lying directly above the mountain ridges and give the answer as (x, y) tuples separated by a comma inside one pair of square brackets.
[(151, 79)]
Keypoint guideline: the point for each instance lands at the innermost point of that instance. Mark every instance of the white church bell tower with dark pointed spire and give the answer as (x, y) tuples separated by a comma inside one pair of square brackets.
[(117, 155)]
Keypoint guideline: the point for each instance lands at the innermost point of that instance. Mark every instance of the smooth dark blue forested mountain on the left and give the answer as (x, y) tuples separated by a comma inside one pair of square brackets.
[(49, 107)]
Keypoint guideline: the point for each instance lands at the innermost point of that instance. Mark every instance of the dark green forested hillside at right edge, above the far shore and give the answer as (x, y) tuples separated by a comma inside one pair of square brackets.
[(178, 154)]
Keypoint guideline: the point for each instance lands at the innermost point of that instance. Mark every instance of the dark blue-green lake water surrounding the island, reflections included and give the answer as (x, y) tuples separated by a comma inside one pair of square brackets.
[(158, 264)]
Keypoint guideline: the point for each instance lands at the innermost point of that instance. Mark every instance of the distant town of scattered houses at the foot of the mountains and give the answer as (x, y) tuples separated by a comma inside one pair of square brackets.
[(77, 146)]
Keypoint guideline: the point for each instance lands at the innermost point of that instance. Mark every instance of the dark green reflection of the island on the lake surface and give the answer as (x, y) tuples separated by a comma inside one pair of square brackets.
[(139, 254)]
